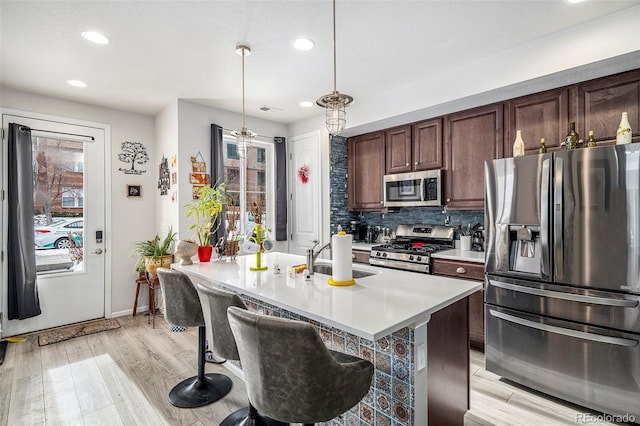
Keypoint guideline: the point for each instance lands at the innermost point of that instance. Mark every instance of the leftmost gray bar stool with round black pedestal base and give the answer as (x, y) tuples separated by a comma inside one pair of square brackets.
[(182, 307)]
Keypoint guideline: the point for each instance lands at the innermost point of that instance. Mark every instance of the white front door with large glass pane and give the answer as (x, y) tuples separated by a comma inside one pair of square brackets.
[(69, 200)]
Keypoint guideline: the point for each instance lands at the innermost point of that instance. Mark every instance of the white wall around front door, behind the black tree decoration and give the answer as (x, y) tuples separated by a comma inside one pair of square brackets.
[(132, 219)]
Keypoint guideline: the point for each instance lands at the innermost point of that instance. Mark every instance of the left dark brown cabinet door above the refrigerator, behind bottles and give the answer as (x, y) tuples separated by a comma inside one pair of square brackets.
[(543, 115)]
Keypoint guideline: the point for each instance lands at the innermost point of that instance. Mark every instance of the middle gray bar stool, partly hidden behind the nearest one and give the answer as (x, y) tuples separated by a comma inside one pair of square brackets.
[(215, 303)]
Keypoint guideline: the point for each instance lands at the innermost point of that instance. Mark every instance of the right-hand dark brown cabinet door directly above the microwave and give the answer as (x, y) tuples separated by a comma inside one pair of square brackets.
[(427, 145)]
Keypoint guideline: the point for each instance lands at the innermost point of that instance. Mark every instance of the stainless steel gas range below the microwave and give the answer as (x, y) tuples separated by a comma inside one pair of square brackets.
[(411, 251)]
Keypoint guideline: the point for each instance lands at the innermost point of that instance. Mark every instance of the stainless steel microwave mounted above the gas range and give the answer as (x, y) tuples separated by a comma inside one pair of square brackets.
[(416, 189)]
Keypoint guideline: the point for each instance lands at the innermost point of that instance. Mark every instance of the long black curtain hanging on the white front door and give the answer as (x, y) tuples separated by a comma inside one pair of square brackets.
[(22, 292)]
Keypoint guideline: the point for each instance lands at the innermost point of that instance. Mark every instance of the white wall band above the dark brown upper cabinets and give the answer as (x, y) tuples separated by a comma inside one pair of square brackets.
[(605, 46)]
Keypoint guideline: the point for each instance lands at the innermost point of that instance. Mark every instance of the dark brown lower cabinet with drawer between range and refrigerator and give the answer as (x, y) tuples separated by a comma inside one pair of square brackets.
[(468, 271)]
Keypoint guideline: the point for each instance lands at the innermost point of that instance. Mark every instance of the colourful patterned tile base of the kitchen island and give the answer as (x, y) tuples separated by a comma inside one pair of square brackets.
[(390, 398)]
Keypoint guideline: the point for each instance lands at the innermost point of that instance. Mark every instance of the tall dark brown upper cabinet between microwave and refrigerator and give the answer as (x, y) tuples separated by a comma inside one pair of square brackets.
[(471, 137)]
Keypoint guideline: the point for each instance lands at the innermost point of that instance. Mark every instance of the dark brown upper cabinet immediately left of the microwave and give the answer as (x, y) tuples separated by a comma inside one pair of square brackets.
[(365, 170)]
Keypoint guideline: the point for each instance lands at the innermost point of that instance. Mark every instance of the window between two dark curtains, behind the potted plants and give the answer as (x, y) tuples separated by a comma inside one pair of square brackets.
[(259, 185)]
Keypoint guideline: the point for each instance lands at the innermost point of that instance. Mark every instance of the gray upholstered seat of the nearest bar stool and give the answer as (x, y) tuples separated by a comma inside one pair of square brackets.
[(290, 374)]
